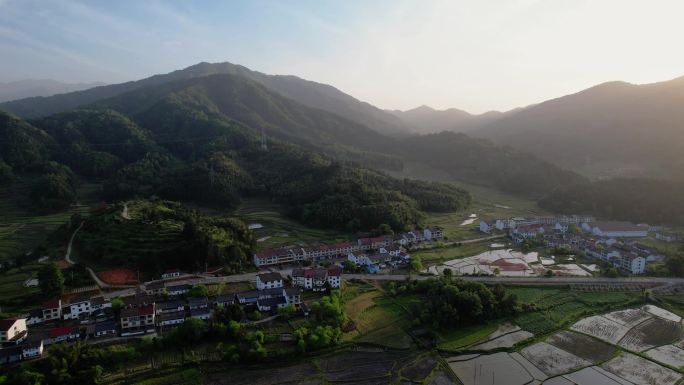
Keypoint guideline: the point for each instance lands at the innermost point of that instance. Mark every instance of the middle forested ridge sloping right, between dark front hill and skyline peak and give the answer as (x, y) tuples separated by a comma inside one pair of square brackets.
[(473, 160)]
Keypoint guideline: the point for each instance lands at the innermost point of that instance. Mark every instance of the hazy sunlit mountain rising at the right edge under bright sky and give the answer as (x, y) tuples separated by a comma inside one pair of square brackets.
[(613, 129)]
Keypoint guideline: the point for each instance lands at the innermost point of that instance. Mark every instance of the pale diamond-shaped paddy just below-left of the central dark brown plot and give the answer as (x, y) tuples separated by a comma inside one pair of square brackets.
[(551, 360)]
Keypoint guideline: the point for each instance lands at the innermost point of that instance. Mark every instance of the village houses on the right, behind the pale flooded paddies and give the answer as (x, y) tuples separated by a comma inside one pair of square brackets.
[(606, 241)]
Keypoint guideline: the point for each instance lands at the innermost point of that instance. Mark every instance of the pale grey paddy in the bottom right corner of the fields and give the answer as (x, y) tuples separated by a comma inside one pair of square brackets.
[(641, 371)]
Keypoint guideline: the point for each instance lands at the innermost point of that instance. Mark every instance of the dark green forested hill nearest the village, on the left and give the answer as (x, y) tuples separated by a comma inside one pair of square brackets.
[(180, 146)]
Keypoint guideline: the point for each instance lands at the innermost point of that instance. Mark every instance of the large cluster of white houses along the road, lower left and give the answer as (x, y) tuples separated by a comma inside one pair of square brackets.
[(160, 305)]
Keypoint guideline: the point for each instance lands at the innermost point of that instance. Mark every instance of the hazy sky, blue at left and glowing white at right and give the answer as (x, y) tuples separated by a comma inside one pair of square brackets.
[(474, 55)]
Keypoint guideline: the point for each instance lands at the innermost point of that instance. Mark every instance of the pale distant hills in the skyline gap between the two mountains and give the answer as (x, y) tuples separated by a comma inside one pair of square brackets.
[(427, 120)]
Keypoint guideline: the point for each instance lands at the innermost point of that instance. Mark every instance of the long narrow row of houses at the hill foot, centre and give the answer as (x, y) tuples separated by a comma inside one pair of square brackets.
[(288, 255)]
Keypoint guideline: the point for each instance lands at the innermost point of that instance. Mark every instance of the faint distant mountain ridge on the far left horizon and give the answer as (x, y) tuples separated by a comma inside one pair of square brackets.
[(27, 88)]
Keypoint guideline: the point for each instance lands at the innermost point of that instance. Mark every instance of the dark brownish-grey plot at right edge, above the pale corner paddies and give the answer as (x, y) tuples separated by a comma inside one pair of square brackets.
[(652, 333)]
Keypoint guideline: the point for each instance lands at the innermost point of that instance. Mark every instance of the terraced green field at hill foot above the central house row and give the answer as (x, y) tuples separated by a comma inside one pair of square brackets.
[(278, 230)]
